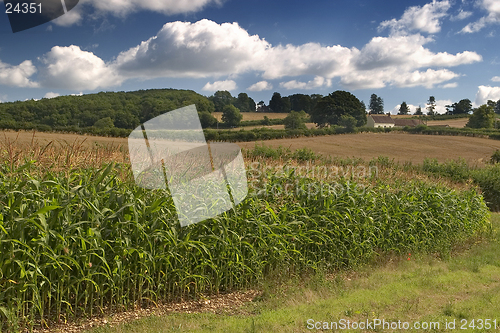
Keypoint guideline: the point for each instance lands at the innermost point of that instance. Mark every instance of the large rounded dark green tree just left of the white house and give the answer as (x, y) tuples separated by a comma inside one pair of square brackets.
[(331, 108)]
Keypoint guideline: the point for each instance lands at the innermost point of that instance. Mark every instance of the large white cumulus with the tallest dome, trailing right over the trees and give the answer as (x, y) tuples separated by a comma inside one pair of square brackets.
[(205, 49)]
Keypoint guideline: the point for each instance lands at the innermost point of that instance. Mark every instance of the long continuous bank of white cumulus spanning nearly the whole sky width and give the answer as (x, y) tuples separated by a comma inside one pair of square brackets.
[(206, 49)]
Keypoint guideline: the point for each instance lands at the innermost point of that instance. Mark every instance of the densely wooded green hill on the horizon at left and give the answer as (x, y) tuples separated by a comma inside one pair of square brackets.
[(120, 110)]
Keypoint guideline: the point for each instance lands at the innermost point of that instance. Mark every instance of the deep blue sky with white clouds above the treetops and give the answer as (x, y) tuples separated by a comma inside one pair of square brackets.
[(399, 50)]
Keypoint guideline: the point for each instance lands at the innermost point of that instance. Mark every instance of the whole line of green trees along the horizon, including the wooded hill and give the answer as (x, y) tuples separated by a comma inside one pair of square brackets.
[(117, 111)]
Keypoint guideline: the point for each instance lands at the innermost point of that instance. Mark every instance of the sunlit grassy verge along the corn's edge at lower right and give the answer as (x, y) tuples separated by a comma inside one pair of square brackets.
[(426, 288)]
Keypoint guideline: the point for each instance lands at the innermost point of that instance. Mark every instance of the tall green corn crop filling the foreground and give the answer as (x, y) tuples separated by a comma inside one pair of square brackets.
[(82, 242)]
